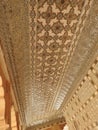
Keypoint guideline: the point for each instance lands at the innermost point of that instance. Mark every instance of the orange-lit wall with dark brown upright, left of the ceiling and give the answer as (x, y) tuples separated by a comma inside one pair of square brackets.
[(9, 117)]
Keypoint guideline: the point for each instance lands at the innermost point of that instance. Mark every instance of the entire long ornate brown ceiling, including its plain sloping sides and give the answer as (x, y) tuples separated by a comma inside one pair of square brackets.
[(46, 44)]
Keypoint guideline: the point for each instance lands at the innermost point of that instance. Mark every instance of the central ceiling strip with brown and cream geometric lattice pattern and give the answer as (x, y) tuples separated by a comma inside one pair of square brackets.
[(52, 27)]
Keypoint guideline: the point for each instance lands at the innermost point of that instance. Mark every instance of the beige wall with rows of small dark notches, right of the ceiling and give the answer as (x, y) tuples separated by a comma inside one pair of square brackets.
[(81, 111)]
